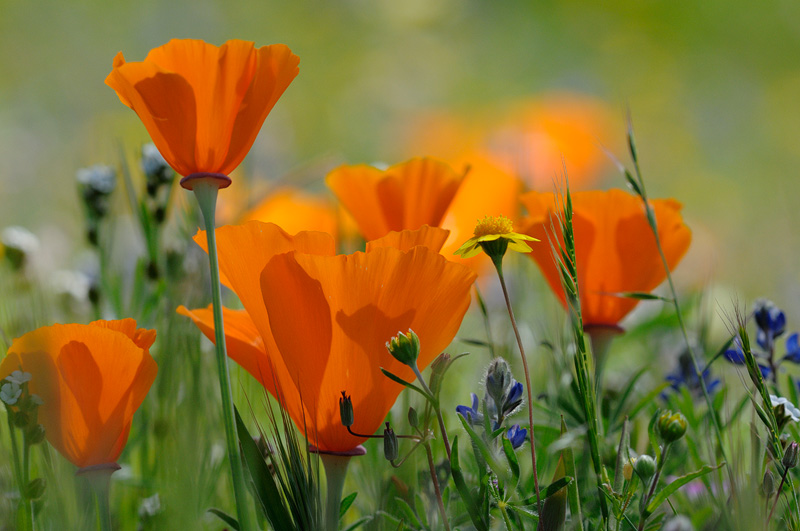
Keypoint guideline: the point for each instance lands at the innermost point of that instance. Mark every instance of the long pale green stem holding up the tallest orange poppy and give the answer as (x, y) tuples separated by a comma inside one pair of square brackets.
[(206, 193)]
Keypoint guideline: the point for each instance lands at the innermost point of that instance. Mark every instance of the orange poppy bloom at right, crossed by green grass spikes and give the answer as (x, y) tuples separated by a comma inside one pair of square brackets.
[(614, 247)]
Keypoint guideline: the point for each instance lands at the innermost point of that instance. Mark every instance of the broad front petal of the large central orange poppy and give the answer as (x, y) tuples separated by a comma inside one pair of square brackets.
[(365, 299)]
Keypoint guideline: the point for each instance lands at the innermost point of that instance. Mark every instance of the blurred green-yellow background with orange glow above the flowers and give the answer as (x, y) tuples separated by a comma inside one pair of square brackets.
[(712, 88)]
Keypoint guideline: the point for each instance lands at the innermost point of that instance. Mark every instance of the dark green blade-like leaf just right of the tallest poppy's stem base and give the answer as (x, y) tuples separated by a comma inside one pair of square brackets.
[(266, 490)]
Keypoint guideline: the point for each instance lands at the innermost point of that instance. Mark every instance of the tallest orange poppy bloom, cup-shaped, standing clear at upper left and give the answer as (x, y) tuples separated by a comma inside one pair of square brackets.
[(204, 105)]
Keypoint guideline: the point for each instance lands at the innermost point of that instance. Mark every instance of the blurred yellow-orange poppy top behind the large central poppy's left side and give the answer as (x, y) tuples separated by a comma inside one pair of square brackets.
[(294, 210)]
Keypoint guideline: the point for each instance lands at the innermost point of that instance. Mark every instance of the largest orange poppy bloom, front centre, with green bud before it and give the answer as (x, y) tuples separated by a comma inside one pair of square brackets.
[(315, 323)]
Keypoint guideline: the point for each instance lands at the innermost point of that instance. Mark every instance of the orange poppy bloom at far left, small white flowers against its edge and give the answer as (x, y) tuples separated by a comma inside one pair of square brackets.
[(91, 379)]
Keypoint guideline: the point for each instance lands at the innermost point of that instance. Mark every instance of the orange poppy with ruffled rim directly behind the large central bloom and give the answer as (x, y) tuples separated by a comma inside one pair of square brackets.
[(405, 196)]
